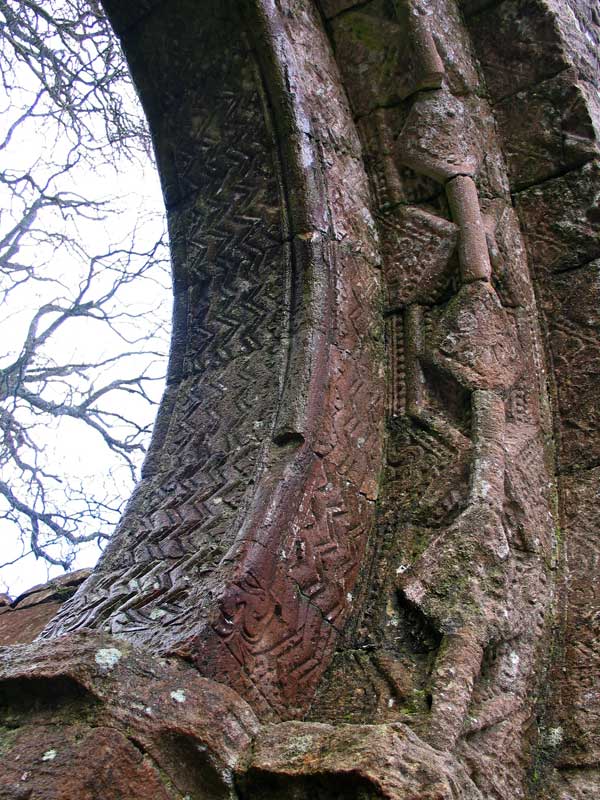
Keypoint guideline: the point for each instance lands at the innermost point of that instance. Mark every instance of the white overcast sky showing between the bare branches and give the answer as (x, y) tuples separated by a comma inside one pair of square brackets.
[(132, 218)]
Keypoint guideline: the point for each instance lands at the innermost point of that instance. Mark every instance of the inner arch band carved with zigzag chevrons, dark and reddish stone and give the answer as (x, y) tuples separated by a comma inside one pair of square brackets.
[(244, 540)]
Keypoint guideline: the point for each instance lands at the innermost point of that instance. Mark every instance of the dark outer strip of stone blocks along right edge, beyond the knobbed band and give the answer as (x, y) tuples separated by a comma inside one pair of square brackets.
[(553, 170)]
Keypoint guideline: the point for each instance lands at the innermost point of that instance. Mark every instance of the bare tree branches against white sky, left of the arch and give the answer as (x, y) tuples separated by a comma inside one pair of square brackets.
[(69, 280)]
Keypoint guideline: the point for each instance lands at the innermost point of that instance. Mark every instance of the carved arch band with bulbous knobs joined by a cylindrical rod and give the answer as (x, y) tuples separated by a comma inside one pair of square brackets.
[(465, 543)]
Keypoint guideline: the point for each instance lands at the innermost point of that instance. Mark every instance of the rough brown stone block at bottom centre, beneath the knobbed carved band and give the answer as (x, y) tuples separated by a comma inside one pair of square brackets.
[(351, 761)]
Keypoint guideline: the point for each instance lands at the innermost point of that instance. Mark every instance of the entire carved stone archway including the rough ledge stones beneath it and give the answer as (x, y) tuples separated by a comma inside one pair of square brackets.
[(361, 561)]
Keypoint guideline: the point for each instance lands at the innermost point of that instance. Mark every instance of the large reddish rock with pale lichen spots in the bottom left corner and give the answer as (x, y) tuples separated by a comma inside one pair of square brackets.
[(89, 716)]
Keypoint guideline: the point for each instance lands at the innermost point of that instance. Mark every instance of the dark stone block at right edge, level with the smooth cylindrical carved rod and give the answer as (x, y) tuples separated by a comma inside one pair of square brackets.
[(561, 220)]
